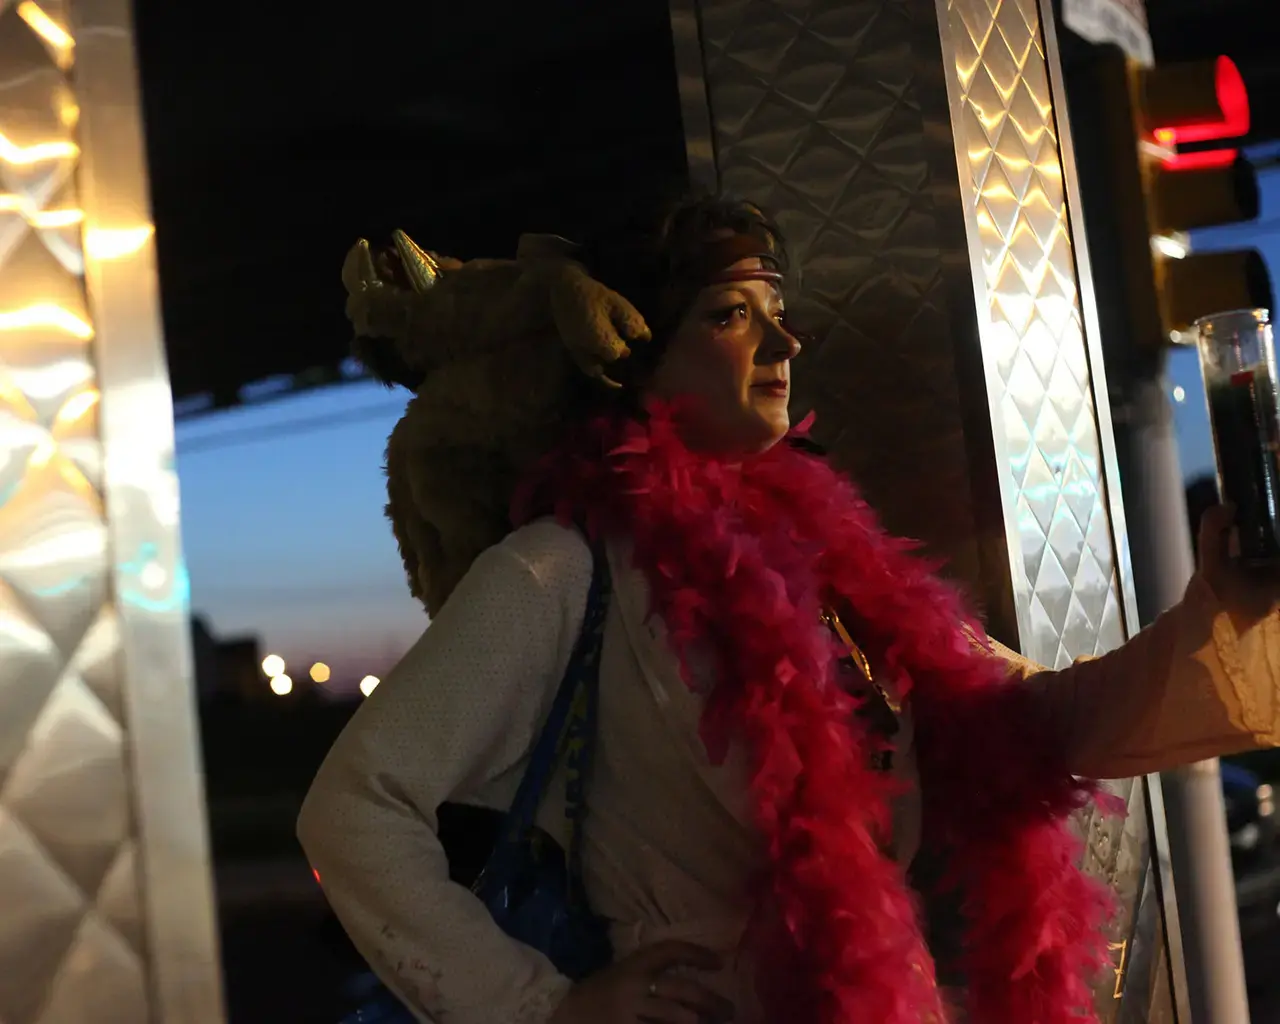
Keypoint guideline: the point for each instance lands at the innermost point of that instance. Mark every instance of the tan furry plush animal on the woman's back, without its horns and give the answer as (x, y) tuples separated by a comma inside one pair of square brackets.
[(501, 345)]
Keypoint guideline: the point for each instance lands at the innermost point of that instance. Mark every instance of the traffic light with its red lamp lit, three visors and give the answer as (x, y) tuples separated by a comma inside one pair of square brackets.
[(1188, 120)]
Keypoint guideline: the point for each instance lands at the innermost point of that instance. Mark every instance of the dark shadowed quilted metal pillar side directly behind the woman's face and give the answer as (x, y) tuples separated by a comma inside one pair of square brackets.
[(817, 113)]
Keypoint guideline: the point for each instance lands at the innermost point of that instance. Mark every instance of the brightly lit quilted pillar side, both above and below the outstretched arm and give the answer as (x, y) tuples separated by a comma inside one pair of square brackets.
[(1053, 445)]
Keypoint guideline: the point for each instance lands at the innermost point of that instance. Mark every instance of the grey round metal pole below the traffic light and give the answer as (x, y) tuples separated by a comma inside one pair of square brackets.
[(1199, 844)]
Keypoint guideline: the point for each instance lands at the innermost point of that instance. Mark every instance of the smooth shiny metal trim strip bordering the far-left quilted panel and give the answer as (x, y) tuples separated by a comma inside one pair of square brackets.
[(140, 486)]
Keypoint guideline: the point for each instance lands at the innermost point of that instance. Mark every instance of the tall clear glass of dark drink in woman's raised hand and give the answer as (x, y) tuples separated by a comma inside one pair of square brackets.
[(1238, 363)]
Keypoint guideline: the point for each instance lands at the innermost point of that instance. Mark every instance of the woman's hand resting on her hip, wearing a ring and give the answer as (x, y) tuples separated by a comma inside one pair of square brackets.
[(644, 989)]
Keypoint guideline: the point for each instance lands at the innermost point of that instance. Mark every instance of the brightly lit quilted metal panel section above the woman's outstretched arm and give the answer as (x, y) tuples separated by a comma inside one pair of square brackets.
[(1044, 405)]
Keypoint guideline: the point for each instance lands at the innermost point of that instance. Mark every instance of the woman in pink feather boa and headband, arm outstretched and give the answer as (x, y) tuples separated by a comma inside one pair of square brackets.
[(756, 804)]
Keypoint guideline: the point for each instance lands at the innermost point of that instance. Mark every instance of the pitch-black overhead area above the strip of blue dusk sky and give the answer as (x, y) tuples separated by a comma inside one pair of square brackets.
[(281, 132)]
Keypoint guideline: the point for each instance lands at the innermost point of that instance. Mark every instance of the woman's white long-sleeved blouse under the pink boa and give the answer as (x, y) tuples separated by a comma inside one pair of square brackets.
[(668, 844)]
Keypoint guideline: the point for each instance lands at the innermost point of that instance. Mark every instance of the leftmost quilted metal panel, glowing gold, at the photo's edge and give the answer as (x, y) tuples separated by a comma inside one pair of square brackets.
[(72, 950)]
